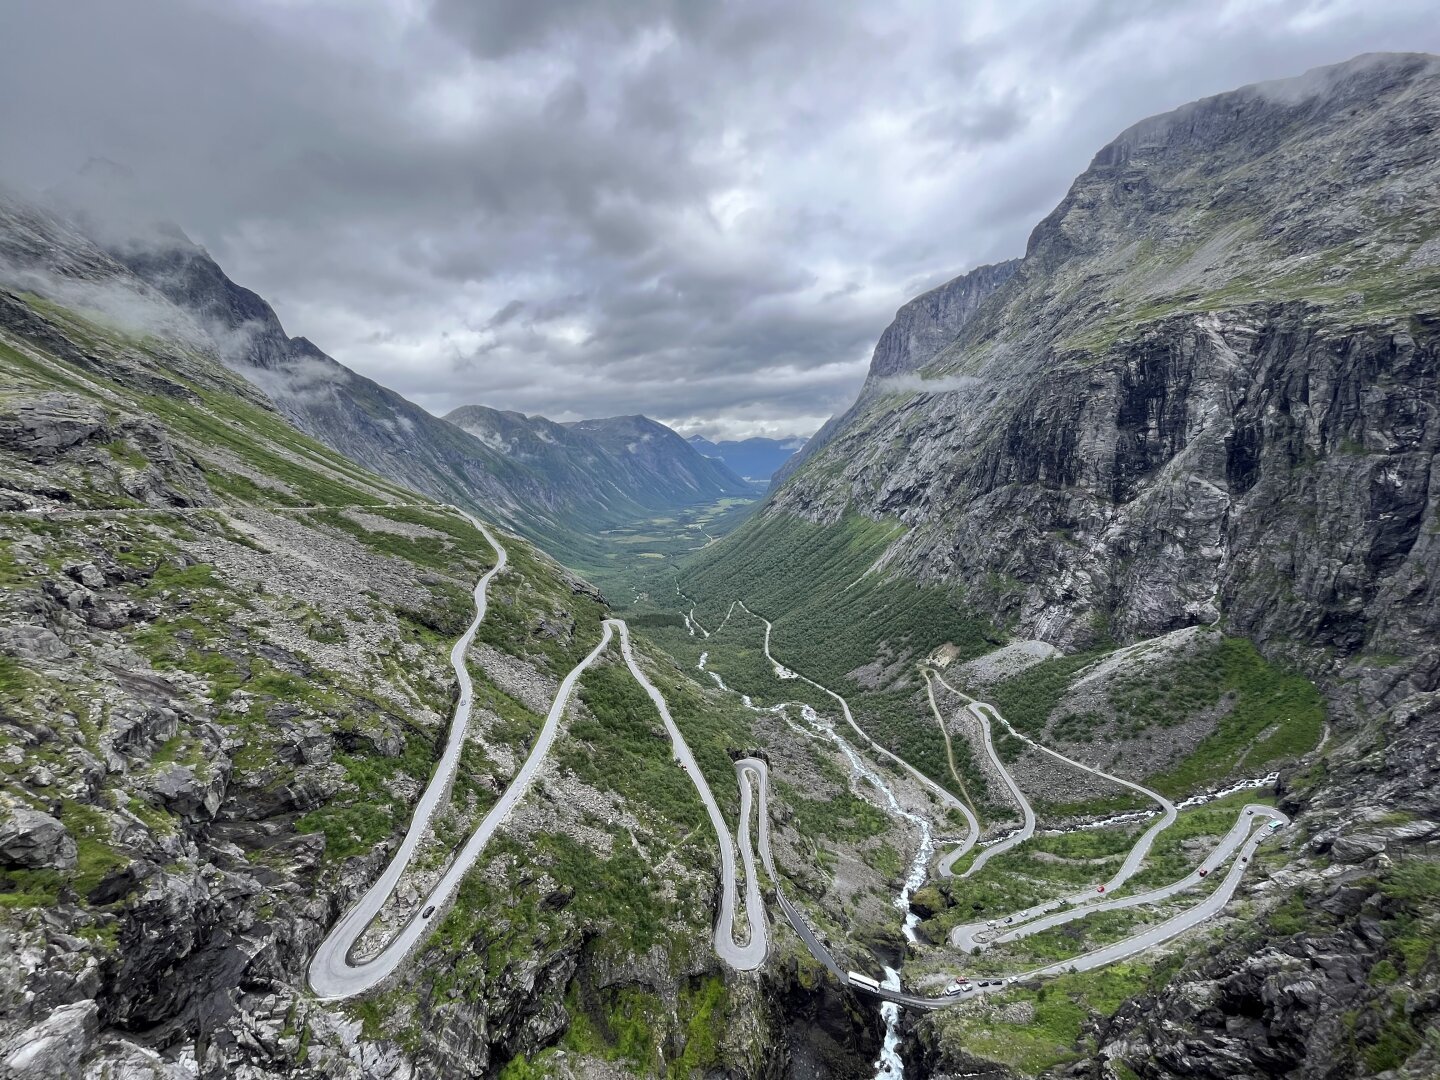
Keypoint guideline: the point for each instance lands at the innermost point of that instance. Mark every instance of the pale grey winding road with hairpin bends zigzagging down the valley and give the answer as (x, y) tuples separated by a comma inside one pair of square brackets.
[(336, 974)]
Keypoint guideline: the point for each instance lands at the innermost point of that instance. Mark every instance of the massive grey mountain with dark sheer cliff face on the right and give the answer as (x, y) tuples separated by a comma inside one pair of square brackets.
[(1210, 387)]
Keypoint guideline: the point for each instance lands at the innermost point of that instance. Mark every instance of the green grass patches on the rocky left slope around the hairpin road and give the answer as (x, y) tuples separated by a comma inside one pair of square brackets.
[(251, 459)]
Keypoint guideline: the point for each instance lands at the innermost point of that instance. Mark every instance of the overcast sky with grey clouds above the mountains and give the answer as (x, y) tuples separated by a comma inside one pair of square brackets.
[(703, 212)]
